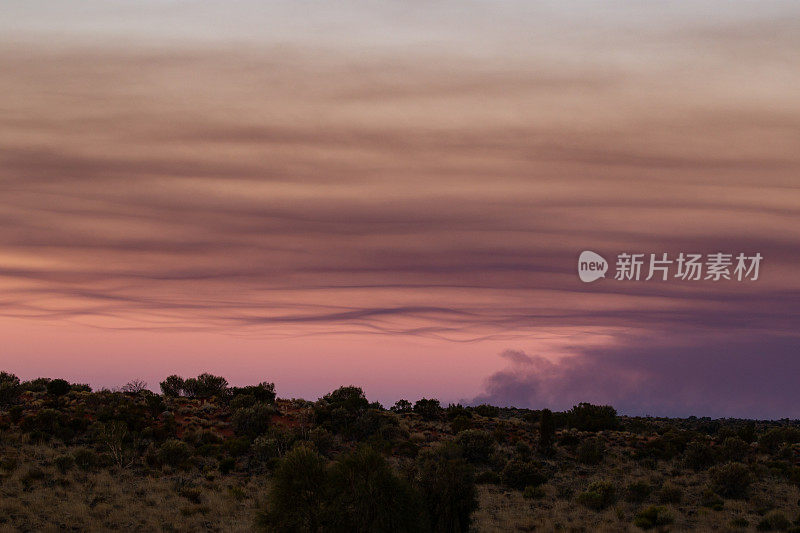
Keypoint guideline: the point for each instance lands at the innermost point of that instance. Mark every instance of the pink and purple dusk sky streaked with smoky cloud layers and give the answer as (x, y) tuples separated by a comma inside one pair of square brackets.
[(395, 195)]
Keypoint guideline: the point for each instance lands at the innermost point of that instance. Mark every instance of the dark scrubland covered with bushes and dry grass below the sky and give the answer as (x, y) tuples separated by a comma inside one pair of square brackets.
[(205, 456)]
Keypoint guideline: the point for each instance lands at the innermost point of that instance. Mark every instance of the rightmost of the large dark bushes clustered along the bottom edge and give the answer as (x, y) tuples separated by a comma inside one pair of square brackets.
[(447, 487)]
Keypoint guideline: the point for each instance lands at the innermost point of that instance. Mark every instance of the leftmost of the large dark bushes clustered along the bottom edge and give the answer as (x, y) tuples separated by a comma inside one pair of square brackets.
[(298, 496)]
